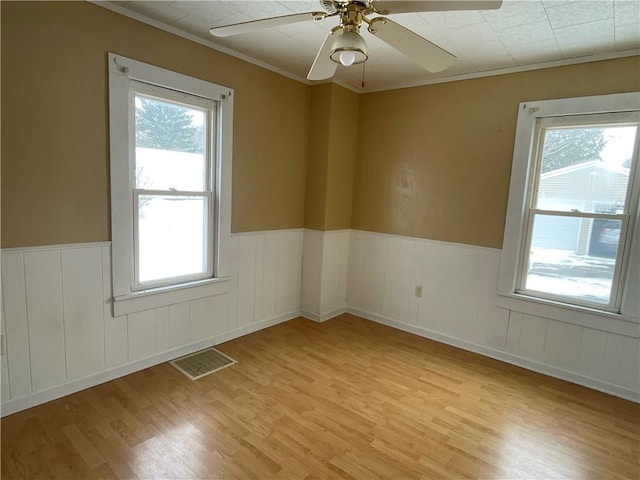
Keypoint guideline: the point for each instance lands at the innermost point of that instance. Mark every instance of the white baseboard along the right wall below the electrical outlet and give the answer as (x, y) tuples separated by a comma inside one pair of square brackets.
[(532, 365)]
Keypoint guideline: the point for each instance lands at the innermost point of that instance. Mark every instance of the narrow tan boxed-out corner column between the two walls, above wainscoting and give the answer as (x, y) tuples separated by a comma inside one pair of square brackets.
[(333, 128)]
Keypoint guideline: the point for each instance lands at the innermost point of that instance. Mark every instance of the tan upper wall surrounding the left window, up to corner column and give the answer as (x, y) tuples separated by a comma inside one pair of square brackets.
[(55, 164)]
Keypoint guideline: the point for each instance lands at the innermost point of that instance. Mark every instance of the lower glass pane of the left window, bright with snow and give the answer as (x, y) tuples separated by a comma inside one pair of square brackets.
[(172, 234)]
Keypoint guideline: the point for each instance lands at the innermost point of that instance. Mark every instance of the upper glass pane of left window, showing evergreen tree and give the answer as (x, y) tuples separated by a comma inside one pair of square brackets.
[(170, 146)]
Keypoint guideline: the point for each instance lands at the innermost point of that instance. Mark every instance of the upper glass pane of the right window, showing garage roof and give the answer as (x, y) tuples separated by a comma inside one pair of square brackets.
[(585, 169)]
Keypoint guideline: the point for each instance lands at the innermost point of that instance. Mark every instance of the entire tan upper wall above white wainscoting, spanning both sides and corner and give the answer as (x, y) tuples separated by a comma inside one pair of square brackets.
[(431, 162)]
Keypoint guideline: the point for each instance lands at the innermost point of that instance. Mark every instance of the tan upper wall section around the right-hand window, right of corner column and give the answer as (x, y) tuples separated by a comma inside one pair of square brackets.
[(435, 161)]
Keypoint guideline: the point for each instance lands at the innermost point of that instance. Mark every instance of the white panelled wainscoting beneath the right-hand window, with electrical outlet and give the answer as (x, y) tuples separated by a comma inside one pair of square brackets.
[(457, 307)]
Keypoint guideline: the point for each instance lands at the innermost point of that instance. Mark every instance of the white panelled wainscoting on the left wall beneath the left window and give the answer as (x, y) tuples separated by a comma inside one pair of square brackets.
[(60, 336)]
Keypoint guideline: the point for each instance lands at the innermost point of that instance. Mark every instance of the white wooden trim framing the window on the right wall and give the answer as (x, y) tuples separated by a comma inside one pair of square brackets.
[(626, 322)]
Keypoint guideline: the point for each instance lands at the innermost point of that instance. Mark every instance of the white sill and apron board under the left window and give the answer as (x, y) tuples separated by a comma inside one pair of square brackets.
[(163, 296)]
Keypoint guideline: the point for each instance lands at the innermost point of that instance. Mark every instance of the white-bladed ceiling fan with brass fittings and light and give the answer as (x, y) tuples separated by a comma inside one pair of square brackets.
[(344, 45)]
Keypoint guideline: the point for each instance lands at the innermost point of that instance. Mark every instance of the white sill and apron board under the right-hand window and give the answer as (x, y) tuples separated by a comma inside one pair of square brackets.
[(586, 317)]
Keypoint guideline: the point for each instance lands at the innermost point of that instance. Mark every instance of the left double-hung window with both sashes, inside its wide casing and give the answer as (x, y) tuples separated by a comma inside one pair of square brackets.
[(173, 189)]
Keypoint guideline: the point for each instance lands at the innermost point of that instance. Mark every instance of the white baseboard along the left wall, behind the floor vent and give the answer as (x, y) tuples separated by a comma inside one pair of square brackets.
[(37, 398)]
